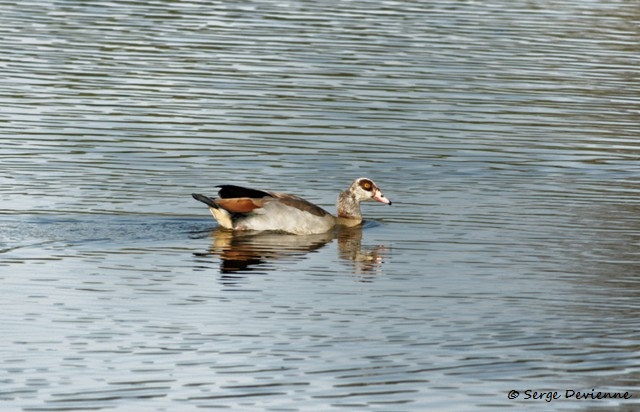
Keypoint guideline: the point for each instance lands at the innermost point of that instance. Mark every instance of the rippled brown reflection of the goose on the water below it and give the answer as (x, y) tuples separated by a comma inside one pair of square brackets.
[(248, 251)]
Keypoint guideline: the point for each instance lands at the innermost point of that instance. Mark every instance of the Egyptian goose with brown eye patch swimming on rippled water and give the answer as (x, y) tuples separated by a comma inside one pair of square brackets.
[(240, 208)]
